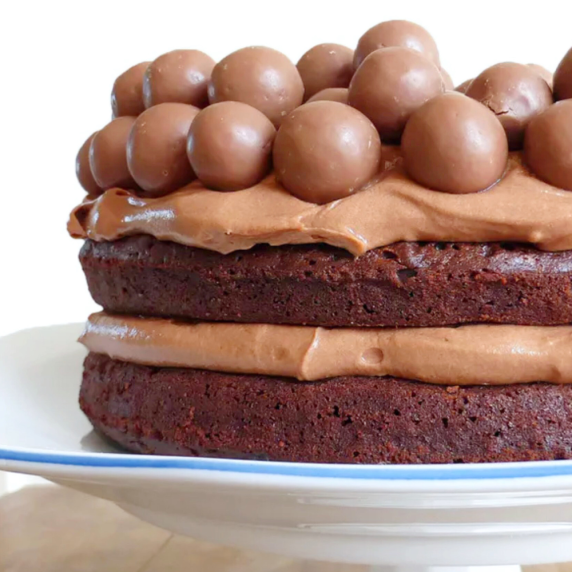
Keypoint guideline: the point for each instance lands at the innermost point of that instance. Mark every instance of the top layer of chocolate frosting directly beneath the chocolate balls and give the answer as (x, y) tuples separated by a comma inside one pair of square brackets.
[(519, 208)]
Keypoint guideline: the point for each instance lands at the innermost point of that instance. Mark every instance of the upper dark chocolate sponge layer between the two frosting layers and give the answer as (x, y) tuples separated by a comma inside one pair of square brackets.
[(406, 284)]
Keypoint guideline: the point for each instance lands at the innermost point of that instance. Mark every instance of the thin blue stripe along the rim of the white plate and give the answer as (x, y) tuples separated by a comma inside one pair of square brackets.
[(368, 472)]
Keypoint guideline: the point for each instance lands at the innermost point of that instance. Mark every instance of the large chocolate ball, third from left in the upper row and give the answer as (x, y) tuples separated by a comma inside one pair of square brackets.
[(260, 77)]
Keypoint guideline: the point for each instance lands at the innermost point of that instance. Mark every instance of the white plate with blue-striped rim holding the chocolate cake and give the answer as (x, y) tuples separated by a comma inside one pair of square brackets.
[(448, 515)]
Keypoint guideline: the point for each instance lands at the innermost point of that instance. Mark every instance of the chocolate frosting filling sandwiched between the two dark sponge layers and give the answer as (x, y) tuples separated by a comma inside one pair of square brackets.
[(468, 355)]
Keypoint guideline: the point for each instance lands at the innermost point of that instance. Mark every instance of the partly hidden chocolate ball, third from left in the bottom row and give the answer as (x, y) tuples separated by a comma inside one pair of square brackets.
[(157, 148)]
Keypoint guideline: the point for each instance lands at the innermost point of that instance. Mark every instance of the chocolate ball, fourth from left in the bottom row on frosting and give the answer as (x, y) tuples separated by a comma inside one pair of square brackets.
[(230, 146)]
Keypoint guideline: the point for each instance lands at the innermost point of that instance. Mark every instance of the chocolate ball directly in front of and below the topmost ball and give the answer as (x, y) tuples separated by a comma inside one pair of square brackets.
[(390, 85)]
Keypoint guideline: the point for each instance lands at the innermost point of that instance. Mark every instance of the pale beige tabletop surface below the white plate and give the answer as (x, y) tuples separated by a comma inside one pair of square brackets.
[(98, 536)]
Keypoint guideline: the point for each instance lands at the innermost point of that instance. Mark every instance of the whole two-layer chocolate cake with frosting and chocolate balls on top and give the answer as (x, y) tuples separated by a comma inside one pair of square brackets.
[(340, 261)]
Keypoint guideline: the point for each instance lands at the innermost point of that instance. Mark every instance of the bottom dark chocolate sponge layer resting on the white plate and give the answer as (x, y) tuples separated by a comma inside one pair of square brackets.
[(172, 411)]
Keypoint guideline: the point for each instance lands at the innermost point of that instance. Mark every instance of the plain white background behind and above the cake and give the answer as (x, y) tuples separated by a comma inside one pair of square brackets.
[(59, 60)]
